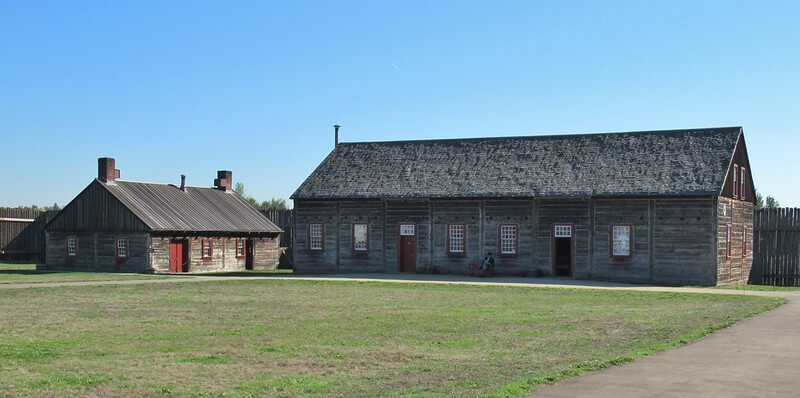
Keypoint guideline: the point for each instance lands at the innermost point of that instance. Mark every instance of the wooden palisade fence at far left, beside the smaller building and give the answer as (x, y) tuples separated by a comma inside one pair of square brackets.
[(23, 241)]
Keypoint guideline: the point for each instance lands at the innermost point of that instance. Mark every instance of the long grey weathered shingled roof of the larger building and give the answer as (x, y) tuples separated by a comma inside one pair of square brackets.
[(690, 162)]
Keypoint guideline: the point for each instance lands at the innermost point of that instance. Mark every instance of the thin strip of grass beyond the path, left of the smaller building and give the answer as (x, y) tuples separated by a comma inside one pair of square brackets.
[(26, 273)]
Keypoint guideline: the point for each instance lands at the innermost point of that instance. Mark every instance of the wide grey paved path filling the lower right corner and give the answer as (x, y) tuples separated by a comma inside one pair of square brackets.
[(759, 357)]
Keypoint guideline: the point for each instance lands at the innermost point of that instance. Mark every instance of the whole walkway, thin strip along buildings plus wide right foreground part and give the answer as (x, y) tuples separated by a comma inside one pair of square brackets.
[(757, 357)]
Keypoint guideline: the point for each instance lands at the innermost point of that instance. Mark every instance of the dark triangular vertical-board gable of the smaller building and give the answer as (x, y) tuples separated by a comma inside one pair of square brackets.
[(95, 210)]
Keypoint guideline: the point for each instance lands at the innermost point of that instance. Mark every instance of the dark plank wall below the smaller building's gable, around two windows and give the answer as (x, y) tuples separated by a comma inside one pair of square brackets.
[(97, 252)]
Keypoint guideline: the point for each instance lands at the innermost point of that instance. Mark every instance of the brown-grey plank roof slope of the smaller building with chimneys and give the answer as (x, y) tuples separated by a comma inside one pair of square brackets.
[(164, 207)]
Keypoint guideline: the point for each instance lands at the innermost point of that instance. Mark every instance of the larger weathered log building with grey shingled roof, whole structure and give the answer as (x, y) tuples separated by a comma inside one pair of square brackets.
[(669, 207)]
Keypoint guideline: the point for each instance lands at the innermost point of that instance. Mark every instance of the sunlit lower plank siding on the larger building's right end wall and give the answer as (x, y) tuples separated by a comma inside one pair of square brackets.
[(734, 270)]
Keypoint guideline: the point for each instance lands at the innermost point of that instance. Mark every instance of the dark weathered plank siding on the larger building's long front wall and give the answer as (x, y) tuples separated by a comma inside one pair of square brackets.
[(673, 240)]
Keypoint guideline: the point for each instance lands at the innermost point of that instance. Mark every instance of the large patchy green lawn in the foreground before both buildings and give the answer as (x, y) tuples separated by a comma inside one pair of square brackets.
[(324, 338)]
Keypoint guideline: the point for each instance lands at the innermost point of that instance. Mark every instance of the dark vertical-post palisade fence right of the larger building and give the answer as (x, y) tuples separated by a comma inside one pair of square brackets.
[(776, 241)]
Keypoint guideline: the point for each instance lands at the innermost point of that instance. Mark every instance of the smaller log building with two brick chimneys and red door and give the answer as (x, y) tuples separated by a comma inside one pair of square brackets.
[(126, 226)]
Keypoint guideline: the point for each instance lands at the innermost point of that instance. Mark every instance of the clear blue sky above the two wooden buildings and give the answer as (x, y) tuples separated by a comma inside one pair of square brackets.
[(171, 87)]
